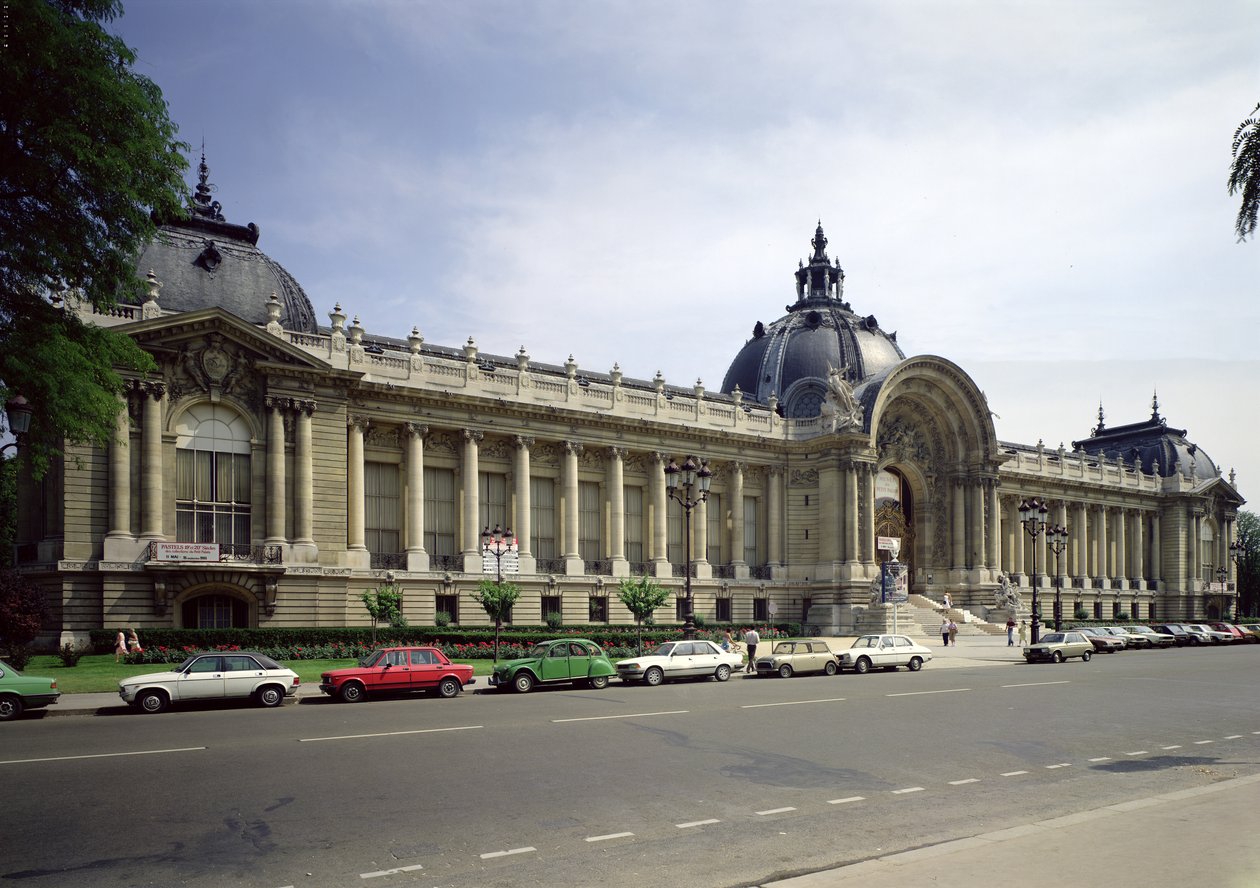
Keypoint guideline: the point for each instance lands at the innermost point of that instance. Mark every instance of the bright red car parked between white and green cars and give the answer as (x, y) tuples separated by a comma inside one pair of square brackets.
[(398, 671)]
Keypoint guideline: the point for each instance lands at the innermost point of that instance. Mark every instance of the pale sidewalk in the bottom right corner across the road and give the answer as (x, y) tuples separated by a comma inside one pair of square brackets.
[(1196, 837)]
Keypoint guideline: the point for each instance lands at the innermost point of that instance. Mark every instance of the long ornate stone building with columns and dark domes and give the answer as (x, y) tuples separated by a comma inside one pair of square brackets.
[(273, 470)]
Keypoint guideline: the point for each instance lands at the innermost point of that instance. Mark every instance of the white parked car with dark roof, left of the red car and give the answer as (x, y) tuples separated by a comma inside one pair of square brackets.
[(212, 677)]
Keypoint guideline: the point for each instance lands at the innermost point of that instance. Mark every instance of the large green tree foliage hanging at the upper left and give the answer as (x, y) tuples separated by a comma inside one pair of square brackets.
[(88, 153)]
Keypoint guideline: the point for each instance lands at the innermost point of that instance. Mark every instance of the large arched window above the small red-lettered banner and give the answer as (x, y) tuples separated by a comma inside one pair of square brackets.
[(212, 477)]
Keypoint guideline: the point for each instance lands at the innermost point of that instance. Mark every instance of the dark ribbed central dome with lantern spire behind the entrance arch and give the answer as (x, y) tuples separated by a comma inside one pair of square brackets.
[(793, 357)]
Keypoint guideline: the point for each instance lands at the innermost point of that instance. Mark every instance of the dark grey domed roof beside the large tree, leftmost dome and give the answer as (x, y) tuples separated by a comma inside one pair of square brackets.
[(205, 261)]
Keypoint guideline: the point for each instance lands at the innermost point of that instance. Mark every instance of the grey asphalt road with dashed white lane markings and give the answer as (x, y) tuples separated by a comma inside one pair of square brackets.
[(701, 784)]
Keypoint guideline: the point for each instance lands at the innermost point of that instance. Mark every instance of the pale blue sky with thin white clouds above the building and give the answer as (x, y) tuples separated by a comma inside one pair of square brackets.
[(1035, 191)]
